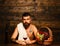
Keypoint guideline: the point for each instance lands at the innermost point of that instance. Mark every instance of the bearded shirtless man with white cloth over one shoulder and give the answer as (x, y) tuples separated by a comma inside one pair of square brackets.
[(25, 31)]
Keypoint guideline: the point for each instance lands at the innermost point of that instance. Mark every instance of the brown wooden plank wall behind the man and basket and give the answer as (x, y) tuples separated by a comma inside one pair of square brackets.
[(44, 13)]
